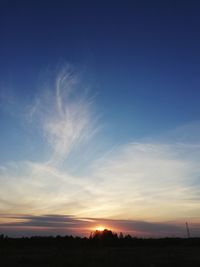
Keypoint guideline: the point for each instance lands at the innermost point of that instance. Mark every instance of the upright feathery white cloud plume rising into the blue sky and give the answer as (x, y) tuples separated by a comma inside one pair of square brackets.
[(66, 115)]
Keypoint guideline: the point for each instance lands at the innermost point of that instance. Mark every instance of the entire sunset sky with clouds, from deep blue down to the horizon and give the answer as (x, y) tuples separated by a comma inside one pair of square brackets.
[(99, 117)]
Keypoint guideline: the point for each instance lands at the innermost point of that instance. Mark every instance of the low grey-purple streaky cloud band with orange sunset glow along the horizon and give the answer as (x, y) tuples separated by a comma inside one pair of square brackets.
[(67, 224)]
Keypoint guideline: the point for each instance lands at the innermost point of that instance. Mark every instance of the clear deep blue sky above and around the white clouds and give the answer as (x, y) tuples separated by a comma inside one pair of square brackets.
[(142, 57)]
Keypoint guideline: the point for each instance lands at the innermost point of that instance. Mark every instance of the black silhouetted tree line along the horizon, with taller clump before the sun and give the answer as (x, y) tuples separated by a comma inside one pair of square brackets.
[(97, 239)]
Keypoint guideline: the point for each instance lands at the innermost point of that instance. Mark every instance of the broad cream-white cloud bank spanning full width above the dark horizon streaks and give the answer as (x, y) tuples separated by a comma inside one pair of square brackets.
[(137, 181)]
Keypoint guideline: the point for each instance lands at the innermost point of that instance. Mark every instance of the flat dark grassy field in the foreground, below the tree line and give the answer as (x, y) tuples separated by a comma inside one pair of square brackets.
[(98, 257)]
